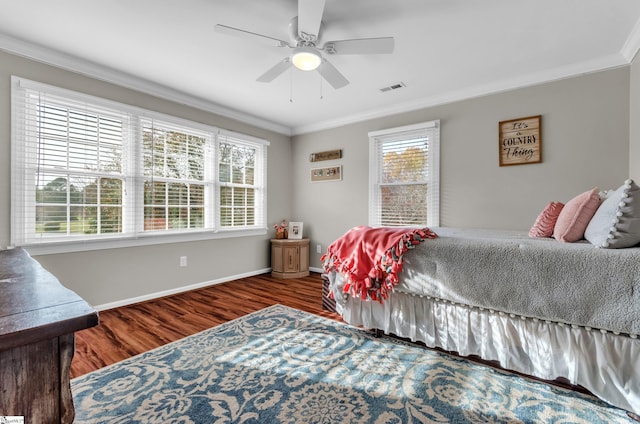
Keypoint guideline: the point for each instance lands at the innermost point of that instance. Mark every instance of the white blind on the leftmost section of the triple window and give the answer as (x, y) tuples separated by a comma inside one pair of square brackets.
[(68, 170)]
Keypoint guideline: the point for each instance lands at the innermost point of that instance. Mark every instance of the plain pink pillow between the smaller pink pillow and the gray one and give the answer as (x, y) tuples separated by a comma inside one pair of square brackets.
[(576, 215)]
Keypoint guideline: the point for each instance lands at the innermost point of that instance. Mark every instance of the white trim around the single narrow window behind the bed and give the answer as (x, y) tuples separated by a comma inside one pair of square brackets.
[(433, 183)]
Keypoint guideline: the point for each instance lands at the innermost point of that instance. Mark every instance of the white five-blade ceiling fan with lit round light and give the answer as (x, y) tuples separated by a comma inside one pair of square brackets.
[(305, 33)]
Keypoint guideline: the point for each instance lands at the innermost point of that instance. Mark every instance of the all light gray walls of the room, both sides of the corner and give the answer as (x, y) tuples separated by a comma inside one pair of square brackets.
[(585, 123)]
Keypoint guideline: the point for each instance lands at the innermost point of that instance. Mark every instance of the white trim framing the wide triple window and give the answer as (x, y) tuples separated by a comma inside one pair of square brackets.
[(140, 238)]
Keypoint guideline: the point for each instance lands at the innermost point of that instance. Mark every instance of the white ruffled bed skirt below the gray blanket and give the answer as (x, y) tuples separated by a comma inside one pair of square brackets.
[(606, 364)]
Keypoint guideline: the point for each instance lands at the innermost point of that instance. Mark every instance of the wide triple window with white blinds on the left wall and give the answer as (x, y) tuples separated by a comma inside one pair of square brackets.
[(87, 169)]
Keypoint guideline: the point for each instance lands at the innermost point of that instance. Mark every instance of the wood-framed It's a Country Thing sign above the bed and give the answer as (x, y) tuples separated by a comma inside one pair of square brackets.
[(519, 141)]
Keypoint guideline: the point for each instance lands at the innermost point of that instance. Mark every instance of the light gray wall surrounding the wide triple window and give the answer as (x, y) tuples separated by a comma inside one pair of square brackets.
[(106, 276)]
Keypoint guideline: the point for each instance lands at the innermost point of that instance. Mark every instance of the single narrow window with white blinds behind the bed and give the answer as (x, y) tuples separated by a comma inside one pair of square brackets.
[(404, 176)]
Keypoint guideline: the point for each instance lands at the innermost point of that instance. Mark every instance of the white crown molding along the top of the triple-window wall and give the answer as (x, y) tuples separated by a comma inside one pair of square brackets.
[(78, 65)]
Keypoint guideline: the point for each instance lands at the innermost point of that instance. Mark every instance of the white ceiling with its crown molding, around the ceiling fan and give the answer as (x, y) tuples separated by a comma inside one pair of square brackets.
[(445, 50)]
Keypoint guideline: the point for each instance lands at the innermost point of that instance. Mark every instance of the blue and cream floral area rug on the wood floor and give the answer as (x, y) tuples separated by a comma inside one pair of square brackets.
[(281, 365)]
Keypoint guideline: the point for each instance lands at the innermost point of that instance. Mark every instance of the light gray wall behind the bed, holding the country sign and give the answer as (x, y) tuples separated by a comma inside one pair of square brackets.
[(585, 144)]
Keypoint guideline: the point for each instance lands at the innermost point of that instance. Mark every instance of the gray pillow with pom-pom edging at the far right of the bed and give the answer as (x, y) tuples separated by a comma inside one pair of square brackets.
[(616, 223)]
